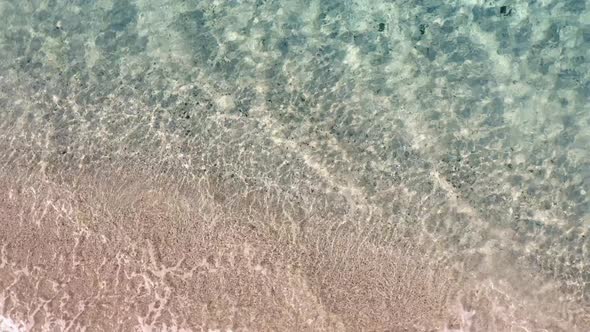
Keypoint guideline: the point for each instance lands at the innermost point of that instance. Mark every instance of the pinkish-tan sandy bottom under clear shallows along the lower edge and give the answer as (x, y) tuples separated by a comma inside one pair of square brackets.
[(129, 250)]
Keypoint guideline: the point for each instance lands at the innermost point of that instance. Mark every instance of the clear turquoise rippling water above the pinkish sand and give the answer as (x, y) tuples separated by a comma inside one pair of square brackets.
[(466, 124)]
